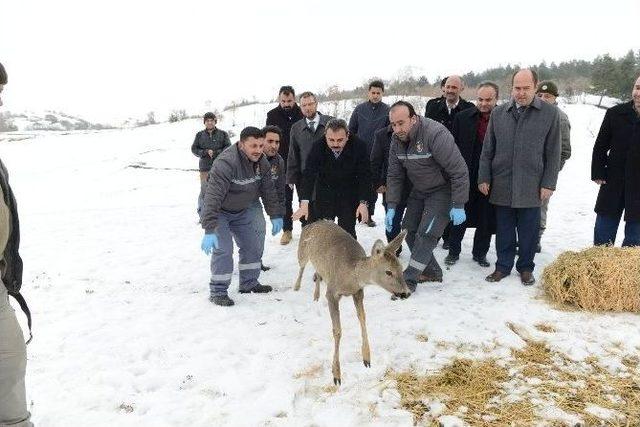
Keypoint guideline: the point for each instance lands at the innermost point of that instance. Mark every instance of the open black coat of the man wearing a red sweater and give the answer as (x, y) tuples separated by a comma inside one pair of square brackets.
[(480, 213)]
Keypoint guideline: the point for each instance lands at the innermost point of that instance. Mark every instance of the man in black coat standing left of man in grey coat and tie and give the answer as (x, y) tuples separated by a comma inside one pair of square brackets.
[(284, 116)]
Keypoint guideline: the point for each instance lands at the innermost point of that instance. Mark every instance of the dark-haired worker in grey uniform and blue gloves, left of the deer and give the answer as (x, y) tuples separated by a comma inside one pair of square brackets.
[(238, 177)]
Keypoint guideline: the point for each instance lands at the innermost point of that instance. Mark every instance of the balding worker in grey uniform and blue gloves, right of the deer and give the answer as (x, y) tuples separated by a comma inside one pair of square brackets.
[(423, 151)]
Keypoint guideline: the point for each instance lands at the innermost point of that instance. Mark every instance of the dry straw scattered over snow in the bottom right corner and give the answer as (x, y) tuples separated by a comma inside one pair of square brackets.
[(486, 389)]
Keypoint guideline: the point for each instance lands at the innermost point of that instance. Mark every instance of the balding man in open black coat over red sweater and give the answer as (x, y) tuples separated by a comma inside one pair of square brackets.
[(469, 128)]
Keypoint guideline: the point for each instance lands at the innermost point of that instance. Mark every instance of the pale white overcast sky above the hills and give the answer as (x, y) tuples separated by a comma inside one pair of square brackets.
[(109, 59)]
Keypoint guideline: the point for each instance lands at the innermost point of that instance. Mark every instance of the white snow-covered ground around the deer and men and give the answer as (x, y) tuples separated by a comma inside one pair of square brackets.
[(125, 334)]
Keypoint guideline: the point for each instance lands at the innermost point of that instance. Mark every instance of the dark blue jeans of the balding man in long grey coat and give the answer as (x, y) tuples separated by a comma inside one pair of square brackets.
[(526, 221)]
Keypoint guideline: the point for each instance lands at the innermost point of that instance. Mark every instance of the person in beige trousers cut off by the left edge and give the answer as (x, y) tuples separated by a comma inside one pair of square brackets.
[(13, 352)]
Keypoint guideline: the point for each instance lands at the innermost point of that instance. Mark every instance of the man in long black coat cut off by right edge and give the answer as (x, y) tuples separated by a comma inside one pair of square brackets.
[(615, 166)]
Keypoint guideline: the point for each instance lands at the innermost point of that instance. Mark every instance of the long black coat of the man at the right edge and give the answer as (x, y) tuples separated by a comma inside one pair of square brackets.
[(616, 159)]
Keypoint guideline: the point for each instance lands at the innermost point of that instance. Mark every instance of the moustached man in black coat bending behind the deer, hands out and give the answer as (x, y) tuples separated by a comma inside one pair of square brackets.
[(336, 179)]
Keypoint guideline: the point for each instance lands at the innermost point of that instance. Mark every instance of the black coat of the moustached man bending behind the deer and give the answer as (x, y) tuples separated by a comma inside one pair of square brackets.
[(327, 178)]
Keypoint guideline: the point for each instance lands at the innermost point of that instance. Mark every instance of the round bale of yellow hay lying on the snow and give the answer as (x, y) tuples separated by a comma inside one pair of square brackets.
[(601, 278)]
